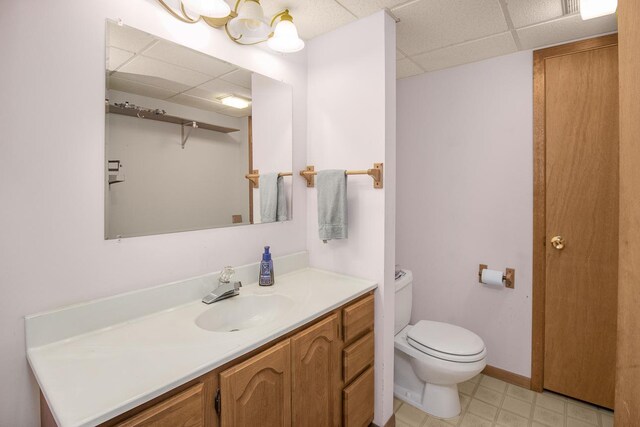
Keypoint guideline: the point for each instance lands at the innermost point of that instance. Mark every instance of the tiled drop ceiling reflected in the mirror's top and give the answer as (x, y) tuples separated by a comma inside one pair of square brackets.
[(145, 65)]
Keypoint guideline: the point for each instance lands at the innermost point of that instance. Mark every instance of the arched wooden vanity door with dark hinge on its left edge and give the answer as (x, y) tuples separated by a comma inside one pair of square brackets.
[(257, 392)]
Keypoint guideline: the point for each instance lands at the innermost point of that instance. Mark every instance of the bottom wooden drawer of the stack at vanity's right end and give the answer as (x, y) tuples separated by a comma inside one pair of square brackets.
[(358, 401)]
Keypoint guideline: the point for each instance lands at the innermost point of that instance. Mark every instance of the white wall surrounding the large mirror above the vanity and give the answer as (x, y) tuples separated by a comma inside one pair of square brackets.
[(52, 249)]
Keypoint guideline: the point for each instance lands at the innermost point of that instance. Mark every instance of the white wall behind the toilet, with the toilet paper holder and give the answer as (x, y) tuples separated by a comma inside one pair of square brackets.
[(465, 198)]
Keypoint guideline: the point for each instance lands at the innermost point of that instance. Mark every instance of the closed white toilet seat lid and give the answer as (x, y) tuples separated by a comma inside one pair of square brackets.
[(446, 341)]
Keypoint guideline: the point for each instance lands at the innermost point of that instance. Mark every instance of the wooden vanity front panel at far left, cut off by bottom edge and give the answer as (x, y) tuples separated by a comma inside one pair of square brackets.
[(185, 409)]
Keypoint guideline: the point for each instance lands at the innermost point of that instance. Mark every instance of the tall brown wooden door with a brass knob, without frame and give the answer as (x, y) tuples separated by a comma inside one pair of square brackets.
[(581, 128)]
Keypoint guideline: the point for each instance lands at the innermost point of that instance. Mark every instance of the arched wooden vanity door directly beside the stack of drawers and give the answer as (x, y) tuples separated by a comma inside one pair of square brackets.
[(316, 375)]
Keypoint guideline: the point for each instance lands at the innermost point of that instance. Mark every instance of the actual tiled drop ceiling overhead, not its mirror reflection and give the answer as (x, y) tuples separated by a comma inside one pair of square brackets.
[(437, 34)]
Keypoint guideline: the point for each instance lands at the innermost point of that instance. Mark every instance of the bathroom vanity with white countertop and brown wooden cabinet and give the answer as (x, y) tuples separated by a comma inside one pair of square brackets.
[(238, 362)]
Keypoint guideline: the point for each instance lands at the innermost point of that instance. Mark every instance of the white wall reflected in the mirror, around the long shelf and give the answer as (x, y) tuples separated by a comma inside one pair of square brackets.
[(167, 188)]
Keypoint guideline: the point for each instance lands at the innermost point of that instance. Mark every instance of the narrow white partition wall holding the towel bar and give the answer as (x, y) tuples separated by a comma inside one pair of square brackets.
[(351, 125)]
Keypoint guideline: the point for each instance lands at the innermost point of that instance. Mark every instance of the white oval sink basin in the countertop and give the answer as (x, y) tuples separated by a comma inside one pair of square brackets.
[(244, 312)]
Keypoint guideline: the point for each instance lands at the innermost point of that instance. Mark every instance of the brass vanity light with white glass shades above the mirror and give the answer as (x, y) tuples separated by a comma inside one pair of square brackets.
[(245, 24)]
